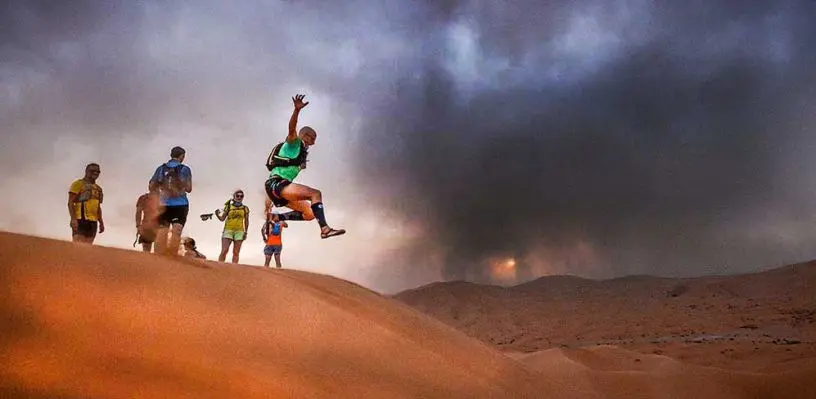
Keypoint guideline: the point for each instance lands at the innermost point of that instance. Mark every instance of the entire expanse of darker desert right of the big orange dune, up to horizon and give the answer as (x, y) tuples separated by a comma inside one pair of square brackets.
[(641, 336)]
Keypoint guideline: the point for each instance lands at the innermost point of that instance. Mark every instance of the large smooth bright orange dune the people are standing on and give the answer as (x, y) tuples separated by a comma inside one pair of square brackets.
[(81, 322)]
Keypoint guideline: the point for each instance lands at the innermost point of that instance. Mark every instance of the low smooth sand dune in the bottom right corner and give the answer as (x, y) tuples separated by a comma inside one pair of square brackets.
[(620, 373)]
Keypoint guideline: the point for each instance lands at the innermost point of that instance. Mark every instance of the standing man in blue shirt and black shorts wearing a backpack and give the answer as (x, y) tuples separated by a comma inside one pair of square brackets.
[(172, 181)]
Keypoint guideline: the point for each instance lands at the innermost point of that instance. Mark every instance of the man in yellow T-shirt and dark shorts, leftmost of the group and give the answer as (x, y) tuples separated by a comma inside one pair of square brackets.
[(85, 206)]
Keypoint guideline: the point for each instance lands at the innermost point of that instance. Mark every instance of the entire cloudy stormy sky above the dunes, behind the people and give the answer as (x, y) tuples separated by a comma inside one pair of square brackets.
[(595, 138)]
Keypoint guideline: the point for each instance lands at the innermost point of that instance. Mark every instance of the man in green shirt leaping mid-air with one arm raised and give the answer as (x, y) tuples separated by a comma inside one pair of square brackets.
[(284, 163)]
